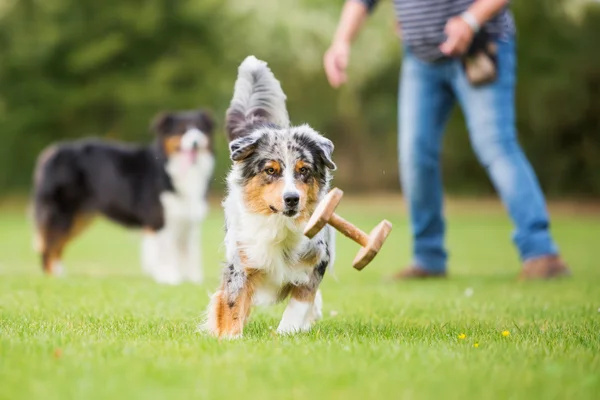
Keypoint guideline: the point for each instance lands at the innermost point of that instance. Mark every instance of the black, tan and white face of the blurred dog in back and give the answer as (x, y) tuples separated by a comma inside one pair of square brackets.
[(184, 134)]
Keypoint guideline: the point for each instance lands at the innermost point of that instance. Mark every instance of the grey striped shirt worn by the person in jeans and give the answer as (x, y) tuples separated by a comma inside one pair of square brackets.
[(423, 21)]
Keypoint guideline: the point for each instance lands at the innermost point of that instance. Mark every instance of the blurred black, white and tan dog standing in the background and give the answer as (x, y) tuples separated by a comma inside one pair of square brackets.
[(160, 189)]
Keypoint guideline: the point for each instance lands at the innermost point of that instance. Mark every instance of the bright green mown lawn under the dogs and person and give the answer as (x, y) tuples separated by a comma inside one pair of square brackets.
[(106, 331)]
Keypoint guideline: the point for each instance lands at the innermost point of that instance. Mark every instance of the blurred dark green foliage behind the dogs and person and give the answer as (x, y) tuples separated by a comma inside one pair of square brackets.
[(73, 68)]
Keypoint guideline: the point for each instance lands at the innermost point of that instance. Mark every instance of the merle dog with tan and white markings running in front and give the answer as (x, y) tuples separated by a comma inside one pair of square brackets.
[(279, 174)]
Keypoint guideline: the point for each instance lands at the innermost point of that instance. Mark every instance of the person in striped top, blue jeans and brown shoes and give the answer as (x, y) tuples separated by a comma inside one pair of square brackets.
[(456, 51)]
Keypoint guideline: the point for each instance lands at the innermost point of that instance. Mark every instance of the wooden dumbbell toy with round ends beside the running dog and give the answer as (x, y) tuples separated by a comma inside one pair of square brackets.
[(325, 214)]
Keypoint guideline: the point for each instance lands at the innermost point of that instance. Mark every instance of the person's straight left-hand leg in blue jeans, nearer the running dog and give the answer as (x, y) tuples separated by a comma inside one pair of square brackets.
[(425, 102)]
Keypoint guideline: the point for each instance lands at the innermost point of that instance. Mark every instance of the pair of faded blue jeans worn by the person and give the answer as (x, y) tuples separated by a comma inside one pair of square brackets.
[(427, 94)]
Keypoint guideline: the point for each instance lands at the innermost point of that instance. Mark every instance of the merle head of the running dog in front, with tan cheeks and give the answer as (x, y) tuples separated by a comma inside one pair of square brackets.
[(282, 171)]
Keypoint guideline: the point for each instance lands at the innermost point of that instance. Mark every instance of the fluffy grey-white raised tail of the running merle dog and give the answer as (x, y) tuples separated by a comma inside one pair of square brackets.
[(257, 99)]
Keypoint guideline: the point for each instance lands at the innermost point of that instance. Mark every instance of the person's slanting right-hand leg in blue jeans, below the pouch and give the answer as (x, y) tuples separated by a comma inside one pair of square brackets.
[(490, 115)]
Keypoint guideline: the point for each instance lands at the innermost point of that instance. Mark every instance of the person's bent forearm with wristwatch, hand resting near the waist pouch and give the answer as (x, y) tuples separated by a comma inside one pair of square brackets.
[(461, 29)]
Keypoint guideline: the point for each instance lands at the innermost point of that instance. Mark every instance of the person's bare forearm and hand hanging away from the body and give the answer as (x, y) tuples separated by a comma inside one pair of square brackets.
[(336, 57)]
